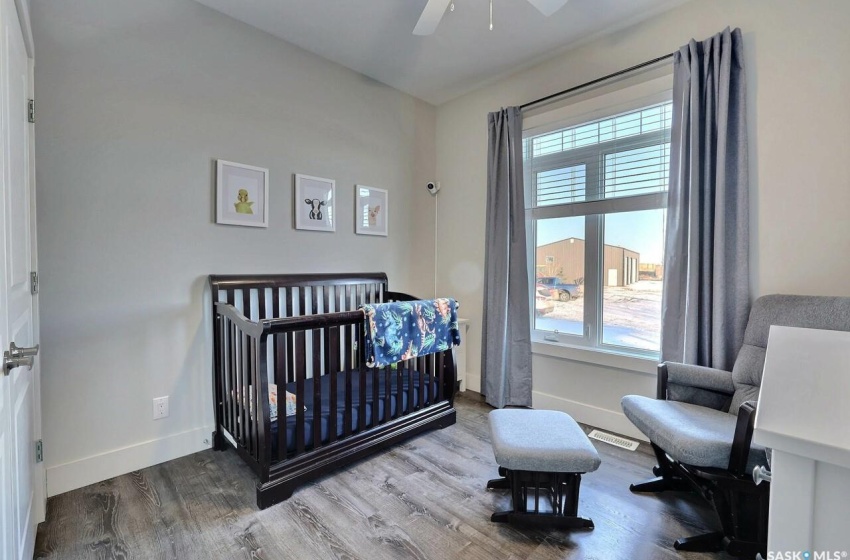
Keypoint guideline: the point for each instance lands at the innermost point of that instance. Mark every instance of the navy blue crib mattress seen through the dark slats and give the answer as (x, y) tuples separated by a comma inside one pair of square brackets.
[(394, 397)]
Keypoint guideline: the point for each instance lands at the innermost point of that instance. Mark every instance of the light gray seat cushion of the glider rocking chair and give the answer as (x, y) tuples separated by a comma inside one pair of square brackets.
[(691, 434)]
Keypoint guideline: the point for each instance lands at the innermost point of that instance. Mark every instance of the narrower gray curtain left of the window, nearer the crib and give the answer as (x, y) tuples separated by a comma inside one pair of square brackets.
[(506, 333)]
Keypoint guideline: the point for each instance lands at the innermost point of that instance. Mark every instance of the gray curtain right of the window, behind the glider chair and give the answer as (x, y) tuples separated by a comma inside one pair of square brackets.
[(706, 265)]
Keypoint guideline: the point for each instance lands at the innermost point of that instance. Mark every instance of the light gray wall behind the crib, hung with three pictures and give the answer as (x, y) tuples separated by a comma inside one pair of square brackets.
[(136, 100)]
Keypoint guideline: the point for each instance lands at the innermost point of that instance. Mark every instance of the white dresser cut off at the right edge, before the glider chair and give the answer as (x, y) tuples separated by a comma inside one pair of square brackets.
[(803, 416)]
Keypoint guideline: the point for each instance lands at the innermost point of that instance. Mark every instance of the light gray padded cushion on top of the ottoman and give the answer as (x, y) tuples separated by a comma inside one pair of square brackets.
[(542, 441)]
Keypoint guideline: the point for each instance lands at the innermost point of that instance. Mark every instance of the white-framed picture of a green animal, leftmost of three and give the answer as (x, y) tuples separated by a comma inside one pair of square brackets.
[(242, 194)]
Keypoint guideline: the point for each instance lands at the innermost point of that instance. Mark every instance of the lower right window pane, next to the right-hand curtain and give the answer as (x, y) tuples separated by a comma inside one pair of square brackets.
[(632, 278)]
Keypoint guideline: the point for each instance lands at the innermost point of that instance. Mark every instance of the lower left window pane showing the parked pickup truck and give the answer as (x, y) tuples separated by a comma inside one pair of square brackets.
[(559, 275)]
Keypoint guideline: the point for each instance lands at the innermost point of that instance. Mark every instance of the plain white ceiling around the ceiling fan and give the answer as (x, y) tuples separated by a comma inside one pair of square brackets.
[(374, 37)]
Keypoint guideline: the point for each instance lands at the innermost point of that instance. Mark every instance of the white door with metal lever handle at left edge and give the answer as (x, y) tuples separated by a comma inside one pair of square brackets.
[(19, 395)]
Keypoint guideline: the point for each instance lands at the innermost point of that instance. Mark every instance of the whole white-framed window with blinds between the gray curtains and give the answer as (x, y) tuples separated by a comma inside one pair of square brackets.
[(596, 195)]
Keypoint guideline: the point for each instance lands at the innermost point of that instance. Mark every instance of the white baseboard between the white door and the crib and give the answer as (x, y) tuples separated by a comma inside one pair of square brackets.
[(82, 472)]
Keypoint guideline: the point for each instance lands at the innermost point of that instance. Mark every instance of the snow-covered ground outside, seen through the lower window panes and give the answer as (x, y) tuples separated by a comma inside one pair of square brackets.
[(631, 315)]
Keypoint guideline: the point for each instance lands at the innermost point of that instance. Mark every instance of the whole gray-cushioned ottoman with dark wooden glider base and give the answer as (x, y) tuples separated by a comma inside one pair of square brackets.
[(541, 454)]
